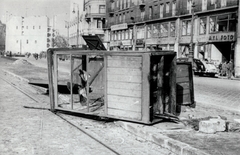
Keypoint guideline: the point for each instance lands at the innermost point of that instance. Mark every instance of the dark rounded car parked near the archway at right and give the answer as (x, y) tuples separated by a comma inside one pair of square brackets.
[(202, 68)]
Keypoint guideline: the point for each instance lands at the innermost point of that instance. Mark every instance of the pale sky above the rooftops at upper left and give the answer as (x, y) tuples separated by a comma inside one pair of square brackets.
[(50, 8)]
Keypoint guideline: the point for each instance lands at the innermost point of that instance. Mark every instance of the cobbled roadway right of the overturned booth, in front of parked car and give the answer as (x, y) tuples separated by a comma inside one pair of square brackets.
[(218, 92)]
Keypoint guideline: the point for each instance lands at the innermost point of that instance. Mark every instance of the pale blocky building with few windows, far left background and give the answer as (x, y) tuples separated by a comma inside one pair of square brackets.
[(31, 34)]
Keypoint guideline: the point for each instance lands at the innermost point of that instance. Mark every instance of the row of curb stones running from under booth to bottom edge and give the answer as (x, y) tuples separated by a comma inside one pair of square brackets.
[(174, 146)]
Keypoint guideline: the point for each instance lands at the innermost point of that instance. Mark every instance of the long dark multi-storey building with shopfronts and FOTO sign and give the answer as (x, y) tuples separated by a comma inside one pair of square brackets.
[(209, 25)]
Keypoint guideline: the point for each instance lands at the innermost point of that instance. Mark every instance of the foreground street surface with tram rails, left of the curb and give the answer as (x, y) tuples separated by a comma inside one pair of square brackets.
[(28, 128)]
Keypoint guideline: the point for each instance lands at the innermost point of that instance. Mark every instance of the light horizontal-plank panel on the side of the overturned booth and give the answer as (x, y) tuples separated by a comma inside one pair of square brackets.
[(124, 86)]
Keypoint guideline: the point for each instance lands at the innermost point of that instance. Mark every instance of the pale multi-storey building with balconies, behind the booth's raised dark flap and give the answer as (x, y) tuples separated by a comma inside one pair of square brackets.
[(87, 17)]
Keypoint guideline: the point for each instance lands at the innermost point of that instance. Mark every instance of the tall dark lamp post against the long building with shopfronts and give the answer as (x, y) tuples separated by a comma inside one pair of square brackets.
[(191, 50)]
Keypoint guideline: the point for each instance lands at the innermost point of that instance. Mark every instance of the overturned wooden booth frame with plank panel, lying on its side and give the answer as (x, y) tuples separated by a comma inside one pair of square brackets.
[(126, 80)]
